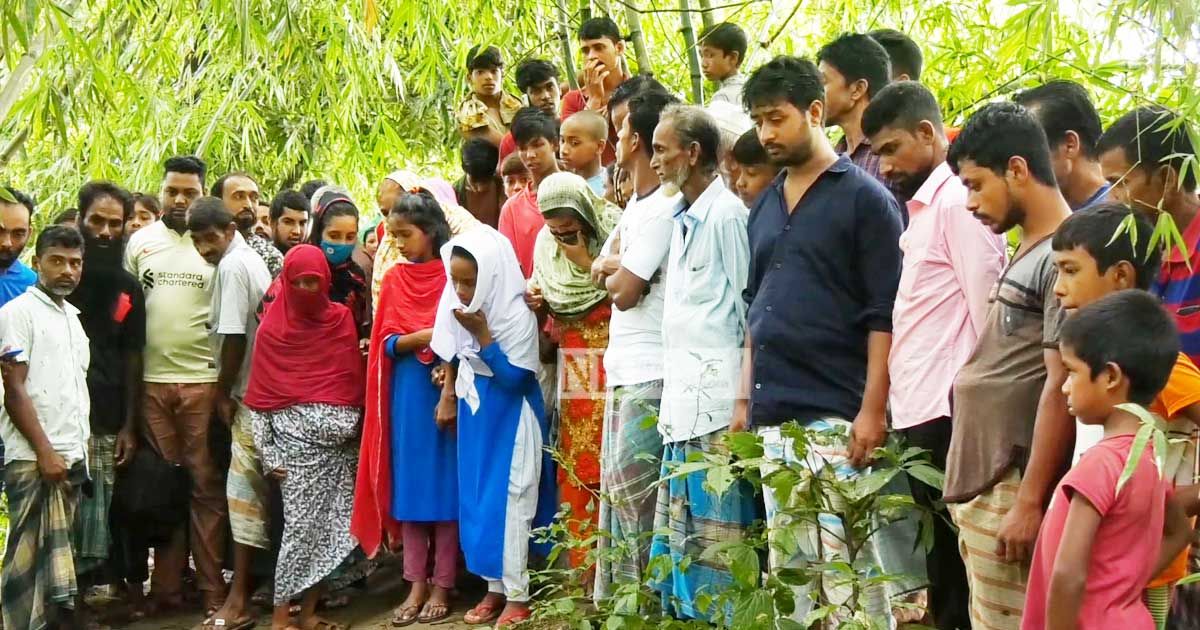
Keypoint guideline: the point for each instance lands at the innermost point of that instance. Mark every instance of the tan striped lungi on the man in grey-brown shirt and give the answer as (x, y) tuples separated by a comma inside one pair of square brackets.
[(998, 587)]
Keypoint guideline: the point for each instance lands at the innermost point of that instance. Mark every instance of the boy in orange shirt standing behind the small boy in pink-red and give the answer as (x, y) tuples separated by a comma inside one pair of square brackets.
[(1093, 265)]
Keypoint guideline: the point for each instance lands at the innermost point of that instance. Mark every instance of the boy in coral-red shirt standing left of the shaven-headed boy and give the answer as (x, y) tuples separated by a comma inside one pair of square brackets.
[(537, 136)]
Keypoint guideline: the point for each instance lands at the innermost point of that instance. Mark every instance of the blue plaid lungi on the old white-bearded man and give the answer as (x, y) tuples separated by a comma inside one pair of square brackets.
[(688, 520)]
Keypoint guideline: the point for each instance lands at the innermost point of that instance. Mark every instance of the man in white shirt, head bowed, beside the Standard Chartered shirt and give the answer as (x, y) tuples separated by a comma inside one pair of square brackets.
[(238, 290)]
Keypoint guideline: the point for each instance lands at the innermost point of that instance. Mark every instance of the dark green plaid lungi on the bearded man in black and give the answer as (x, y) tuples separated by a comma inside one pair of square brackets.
[(93, 539)]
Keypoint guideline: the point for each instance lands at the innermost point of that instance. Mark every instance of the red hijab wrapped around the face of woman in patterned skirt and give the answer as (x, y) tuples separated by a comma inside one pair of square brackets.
[(307, 350)]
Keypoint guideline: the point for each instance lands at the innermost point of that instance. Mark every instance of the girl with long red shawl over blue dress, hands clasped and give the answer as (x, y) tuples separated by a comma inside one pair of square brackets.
[(409, 482)]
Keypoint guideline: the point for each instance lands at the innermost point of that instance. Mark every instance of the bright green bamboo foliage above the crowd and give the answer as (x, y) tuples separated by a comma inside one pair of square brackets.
[(291, 91)]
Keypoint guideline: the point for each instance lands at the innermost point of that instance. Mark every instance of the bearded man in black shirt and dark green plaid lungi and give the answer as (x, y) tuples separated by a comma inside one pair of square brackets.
[(112, 311)]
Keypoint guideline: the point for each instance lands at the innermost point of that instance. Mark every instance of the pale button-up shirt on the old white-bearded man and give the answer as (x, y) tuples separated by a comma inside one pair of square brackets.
[(704, 316)]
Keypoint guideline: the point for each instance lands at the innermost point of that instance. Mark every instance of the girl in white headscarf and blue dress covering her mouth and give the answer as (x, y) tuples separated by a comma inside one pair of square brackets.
[(489, 338)]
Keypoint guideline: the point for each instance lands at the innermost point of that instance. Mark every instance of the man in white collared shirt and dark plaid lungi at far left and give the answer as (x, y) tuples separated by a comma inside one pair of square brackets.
[(45, 428)]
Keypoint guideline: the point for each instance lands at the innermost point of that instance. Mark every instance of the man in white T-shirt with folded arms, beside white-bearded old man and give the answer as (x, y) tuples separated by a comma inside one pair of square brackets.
[(632, 268)]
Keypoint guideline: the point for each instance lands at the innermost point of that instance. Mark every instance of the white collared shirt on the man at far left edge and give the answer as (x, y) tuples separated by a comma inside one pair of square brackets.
[(55, 346)]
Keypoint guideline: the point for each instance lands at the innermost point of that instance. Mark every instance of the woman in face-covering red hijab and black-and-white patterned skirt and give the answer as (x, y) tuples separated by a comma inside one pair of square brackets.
[(307, 409)]
